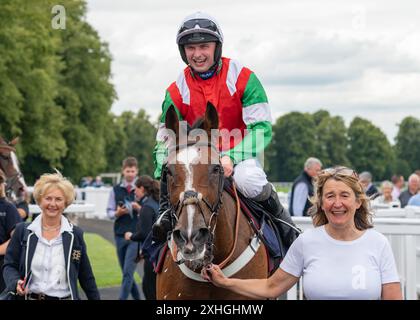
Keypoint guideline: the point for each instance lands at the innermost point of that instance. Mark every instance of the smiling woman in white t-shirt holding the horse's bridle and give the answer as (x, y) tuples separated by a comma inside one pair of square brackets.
[(343, 257)]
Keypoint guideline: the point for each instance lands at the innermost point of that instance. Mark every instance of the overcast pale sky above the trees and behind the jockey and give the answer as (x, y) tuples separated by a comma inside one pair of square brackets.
[(359, 58)]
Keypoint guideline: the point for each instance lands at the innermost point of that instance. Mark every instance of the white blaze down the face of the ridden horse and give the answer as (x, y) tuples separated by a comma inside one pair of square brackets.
[(188, 157)]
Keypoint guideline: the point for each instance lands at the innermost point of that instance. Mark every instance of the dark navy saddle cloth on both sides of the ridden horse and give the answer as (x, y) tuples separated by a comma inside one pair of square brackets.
[(260, 221)]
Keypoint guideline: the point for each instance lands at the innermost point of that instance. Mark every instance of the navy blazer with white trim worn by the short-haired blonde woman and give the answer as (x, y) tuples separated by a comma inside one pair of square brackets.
[(21, 249)]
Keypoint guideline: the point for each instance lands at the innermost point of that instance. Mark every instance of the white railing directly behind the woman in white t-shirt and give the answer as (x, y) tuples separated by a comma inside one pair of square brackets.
[(402, 234)]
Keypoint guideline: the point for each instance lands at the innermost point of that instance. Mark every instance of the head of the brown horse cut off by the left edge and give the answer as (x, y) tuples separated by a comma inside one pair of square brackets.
[(15, 184)]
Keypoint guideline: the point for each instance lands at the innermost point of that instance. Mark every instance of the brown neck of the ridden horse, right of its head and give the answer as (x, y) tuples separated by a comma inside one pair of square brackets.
[(225, 230)]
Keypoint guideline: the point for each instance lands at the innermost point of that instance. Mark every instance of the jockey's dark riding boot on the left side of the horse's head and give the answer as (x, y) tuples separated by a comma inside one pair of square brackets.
[(163, 224)]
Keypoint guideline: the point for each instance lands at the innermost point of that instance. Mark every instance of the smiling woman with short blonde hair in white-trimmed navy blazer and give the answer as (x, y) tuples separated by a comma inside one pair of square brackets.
[(45, 258)]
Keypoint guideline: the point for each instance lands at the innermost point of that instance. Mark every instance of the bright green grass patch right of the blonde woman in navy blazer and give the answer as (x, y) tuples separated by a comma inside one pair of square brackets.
[(104, 261)]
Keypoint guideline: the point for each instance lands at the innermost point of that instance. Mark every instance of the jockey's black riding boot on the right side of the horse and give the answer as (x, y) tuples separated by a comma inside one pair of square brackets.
[(269, 200)]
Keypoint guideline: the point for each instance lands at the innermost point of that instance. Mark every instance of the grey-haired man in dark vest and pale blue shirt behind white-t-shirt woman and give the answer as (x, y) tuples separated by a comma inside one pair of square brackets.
[(303, 189)]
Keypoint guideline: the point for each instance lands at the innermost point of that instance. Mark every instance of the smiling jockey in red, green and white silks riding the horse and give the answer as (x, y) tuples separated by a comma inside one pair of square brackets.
[(241, 103)]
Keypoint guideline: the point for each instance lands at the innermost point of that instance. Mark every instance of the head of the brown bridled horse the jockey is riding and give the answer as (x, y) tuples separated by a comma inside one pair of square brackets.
[(195, 184)]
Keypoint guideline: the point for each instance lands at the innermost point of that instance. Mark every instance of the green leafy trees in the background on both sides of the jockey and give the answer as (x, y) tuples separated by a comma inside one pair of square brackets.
[(56, 94)]
